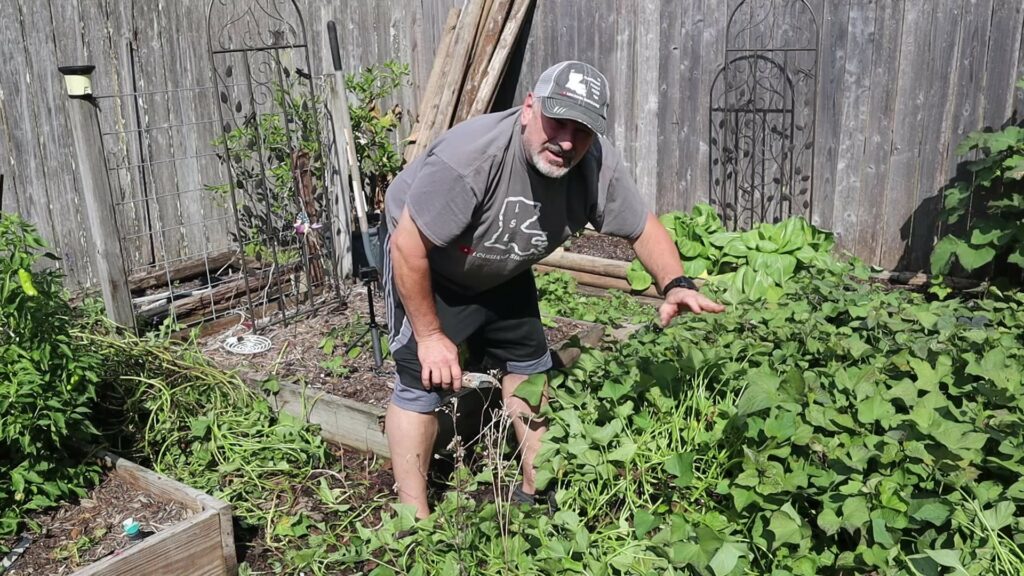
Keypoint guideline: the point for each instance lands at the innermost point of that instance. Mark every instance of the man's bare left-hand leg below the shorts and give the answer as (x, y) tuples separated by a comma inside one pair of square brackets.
[(411, 440)]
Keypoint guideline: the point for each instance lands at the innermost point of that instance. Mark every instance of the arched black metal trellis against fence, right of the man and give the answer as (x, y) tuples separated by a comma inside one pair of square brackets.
[(763, 114)]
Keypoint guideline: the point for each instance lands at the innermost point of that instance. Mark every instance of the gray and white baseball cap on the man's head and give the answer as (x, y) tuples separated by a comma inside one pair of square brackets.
[(575, 91)]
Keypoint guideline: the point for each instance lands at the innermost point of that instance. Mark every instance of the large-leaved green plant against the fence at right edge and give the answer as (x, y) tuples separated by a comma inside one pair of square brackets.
[(995, 196)]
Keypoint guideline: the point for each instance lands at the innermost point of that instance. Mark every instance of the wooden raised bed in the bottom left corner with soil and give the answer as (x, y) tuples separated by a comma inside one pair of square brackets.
[(190, 532)]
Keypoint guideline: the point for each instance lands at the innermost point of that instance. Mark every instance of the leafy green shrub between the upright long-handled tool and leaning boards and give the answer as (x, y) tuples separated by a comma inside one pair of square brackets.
[(374, 130)]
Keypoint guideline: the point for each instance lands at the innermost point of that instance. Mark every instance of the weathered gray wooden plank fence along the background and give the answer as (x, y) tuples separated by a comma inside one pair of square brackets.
[(901, 84)]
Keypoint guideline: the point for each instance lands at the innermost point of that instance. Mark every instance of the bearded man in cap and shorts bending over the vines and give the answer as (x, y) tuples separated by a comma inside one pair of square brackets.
[(468, 218)]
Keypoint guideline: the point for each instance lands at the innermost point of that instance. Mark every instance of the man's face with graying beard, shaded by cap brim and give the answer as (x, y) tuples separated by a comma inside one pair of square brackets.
[(553, 146)]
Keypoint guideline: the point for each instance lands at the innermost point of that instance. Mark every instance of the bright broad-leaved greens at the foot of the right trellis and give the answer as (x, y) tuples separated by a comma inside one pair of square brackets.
[(756, 264)]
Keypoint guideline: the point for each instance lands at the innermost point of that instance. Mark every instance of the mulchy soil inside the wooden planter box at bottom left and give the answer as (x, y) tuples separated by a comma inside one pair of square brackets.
[(81, 533)]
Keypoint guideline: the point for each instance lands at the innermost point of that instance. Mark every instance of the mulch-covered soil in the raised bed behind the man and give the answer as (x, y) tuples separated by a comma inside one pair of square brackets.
[(298, 351)]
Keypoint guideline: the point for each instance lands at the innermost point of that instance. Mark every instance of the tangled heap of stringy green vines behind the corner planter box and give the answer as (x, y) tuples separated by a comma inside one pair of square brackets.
[(194, 423)]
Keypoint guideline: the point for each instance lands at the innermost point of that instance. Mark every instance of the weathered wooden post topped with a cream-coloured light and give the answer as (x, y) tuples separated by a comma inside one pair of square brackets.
[(99, 202)]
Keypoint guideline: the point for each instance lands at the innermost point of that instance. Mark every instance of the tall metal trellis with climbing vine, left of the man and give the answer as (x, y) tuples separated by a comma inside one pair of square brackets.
[(273, 146)]
